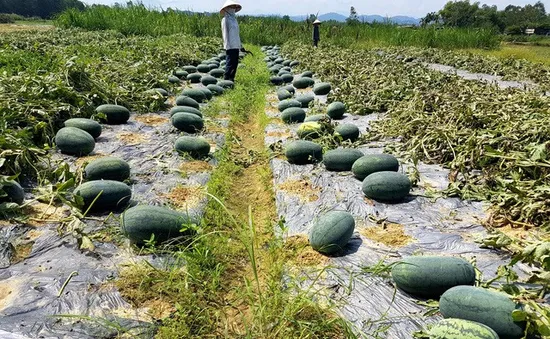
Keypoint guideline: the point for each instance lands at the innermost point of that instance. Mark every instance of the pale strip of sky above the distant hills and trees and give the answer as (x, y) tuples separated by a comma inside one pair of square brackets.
[(413, 8)]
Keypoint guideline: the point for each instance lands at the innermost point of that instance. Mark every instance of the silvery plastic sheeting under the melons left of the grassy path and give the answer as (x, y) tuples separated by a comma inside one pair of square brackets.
[(89, 306)]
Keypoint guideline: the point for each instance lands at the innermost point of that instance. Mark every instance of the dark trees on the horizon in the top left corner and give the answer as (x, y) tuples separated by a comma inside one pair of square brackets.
[(38, 8)]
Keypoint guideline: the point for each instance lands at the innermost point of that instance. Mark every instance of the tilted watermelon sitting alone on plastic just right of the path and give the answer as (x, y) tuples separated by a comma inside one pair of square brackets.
[(331, 232)]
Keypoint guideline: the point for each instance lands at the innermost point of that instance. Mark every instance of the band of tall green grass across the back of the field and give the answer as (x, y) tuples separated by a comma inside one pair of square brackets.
[(140, 20)]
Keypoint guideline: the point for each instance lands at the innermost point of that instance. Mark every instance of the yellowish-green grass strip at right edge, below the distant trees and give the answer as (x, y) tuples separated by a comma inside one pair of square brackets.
[(532, 53)]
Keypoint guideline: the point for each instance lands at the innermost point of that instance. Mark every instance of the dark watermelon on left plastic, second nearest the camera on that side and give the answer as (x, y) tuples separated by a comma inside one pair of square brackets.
[(111, 195)]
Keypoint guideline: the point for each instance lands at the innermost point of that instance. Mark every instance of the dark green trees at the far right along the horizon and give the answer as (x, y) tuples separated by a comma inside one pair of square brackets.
[(512, 19)]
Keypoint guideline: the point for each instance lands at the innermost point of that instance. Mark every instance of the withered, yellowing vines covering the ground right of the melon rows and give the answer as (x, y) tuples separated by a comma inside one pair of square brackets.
[(494, 141)]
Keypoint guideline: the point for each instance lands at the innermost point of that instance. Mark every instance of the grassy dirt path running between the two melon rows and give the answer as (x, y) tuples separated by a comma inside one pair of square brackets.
[(231, 283)]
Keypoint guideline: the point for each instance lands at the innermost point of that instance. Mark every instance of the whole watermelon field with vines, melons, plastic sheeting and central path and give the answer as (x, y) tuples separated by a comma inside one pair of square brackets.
[(335, 192)]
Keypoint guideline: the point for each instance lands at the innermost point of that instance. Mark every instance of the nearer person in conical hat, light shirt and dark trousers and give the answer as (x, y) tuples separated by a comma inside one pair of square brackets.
[(231, 38)]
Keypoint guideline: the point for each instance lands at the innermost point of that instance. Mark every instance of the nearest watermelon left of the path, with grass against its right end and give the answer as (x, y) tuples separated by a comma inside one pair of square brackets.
[(140, 223)]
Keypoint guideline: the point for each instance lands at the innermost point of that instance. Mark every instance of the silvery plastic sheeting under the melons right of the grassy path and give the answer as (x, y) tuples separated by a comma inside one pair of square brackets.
[(445, 226)]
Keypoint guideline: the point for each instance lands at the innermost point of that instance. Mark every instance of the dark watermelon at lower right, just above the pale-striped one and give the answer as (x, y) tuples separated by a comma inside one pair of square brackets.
[(490, 308)]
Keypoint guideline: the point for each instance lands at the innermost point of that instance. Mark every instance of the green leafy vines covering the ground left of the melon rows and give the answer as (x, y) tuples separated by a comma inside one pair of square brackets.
[(48, 77)]
